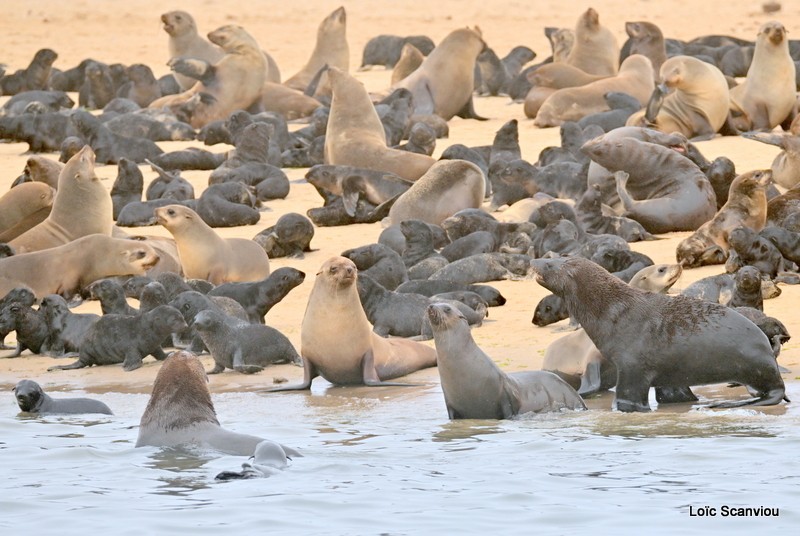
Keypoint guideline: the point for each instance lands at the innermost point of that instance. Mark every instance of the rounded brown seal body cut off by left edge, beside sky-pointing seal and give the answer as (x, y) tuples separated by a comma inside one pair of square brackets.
[(24, 207)]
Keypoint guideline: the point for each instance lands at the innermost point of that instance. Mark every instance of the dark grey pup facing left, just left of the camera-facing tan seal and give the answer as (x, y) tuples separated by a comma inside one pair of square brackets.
[(243, 347)]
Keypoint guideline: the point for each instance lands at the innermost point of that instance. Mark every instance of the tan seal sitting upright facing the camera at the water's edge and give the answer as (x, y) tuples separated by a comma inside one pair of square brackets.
[(337, 341)]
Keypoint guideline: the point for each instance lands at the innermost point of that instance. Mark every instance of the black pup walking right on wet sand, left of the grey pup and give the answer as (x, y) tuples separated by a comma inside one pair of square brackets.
[(127, 339)]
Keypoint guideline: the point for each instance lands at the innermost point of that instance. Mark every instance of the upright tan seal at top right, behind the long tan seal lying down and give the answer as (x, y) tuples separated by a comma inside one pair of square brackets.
[(595, 50)]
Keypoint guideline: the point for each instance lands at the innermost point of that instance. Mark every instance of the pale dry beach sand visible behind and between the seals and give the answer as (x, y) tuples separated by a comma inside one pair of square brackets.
[(131, 32)]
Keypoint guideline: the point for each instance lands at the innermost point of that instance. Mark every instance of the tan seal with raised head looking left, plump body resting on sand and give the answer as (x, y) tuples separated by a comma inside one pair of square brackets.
[(206, 255)]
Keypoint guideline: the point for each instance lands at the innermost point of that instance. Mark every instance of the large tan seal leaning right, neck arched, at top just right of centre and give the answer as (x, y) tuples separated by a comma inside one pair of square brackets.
[(444, 83)]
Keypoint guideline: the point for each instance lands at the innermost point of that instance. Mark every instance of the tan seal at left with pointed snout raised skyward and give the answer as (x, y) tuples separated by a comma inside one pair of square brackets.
[(82, 207)]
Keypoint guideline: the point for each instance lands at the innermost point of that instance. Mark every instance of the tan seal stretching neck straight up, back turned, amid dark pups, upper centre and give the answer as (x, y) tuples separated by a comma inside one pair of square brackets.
[(355, 134)]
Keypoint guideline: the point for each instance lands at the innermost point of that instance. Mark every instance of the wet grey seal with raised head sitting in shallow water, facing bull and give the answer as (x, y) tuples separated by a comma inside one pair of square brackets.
[(475, 388)]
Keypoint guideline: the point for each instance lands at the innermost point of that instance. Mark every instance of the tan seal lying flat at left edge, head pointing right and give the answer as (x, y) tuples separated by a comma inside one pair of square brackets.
[(67, 269)]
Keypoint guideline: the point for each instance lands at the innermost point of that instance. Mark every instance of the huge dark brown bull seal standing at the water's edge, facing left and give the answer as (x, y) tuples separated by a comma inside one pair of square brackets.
[(663, 341)]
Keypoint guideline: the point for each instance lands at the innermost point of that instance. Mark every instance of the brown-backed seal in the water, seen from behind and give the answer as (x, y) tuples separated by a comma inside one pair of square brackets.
[(180, 412)]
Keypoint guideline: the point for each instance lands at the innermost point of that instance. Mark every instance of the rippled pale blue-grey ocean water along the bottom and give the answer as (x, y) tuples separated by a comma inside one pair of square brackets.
[(388, 461)]
